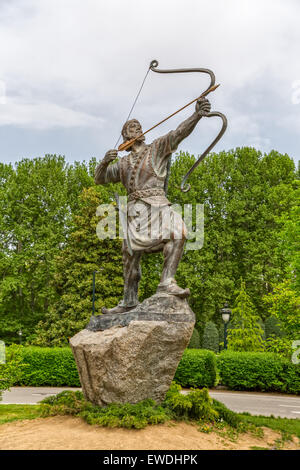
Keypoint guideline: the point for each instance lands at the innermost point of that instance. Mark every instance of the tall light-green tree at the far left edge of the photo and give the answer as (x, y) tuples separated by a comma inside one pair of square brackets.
[(37, 200)]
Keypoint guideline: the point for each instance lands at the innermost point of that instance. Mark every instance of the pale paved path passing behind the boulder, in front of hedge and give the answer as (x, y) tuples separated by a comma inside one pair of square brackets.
[(255, 403)]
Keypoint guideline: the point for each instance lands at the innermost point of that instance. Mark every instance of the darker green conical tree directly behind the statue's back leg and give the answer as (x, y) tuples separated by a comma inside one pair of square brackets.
[(72, 282)]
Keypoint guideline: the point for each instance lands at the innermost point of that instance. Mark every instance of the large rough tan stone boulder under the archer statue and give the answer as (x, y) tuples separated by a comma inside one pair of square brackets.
[(126, 358)]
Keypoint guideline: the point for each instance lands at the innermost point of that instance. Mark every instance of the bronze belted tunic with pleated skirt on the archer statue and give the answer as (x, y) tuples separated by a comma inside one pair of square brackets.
[(151, 218)]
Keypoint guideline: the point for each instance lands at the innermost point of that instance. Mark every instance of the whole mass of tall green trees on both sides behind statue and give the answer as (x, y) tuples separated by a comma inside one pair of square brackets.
[(49, 249)]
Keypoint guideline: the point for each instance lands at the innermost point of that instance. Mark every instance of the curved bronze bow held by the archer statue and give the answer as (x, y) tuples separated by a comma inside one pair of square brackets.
[(185, 186)]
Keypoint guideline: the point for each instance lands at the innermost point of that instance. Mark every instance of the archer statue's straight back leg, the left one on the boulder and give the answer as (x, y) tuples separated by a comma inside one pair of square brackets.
[(132, 275)]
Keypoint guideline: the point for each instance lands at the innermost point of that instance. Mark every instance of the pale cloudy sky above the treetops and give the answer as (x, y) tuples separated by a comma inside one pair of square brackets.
[(70, 70)]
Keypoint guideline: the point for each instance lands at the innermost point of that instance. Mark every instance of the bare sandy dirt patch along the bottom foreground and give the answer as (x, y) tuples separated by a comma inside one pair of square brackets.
[(64, 432)]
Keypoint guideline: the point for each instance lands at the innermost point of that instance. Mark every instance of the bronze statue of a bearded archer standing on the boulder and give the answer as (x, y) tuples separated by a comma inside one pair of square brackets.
[(143, 172)]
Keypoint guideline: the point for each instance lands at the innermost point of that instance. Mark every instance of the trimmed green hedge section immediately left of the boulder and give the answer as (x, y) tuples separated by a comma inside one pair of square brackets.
[(49, 366)]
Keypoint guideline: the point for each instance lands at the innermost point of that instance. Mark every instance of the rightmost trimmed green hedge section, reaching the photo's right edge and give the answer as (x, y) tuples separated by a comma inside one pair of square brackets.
[(258, 371)]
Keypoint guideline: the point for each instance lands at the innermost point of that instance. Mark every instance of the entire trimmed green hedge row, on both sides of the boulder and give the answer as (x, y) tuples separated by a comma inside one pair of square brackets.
[(197, 368)]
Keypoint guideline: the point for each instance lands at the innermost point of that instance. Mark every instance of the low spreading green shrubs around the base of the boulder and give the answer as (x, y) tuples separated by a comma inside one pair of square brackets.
[(197, 406)]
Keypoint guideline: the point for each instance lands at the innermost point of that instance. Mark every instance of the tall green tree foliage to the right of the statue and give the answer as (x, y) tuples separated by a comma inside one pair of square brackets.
[(244, 194)]
